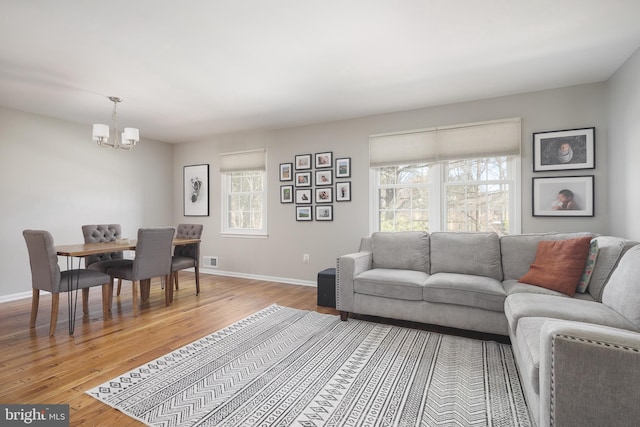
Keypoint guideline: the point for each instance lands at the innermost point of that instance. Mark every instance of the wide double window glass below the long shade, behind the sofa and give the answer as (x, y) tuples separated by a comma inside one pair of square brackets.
[(456, 195)]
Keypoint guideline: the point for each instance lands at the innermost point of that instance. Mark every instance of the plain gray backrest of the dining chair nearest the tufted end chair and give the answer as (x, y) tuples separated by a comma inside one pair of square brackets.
[(153, 253)]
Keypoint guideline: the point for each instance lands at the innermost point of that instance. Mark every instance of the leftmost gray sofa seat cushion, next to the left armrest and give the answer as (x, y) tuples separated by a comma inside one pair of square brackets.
[(391, 283)]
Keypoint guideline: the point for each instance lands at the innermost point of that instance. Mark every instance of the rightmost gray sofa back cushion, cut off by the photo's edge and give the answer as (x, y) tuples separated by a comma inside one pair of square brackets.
[(622, 292)]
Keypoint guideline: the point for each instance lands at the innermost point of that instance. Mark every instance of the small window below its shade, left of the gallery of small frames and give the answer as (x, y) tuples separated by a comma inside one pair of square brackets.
[(244, 204)]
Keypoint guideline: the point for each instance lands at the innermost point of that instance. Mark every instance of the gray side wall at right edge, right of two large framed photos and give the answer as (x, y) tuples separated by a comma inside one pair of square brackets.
[(624, 149)]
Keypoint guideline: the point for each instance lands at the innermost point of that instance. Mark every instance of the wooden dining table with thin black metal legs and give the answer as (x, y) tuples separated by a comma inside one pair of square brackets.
[(80, 250)]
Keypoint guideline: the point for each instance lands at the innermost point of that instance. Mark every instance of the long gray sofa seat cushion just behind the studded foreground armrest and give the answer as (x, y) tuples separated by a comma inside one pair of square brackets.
[(519, 306)]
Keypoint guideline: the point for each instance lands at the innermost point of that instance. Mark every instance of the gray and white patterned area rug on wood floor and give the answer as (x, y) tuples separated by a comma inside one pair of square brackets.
[(288, 367)]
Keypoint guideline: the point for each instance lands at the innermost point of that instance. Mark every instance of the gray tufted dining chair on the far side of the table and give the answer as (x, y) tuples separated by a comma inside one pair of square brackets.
[(99, 233)]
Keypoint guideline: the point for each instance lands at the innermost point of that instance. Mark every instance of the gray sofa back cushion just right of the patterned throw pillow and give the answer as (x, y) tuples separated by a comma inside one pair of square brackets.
[(610, 251)]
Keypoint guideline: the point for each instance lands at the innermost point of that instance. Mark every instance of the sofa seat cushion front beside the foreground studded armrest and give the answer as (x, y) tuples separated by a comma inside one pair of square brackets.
[(528, 343)]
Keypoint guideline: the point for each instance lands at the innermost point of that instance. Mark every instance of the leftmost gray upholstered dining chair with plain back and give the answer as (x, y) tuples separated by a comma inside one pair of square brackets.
[(47, 276)]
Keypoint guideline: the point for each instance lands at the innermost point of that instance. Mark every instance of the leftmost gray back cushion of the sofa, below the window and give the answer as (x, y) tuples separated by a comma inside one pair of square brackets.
[(405, 250)]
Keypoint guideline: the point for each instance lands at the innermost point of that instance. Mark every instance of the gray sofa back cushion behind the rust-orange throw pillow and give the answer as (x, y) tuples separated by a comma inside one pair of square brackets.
[(519, 251)]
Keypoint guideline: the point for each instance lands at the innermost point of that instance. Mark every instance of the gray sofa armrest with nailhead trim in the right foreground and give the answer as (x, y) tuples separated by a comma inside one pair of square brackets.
[(589, 375)]
